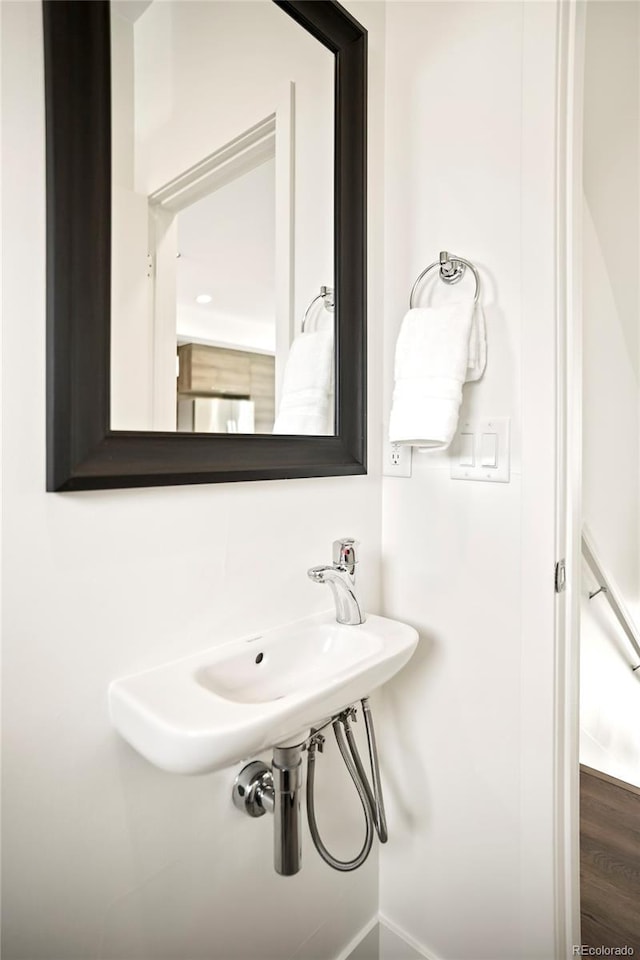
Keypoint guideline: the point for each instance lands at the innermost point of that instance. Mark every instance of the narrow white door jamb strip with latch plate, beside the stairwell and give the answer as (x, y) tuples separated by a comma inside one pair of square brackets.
[(569, 427)]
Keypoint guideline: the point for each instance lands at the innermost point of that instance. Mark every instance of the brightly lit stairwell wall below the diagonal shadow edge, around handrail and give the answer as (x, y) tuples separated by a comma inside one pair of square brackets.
[(609, 692)]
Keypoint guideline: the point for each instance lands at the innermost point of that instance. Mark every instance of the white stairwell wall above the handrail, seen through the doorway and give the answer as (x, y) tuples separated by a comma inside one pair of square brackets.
[(611, 287)]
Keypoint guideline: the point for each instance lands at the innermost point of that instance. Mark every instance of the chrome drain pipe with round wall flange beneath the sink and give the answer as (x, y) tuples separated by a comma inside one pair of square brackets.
[(258, 789)]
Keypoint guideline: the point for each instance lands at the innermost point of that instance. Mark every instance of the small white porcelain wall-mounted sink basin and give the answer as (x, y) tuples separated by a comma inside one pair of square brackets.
[(230, 702)]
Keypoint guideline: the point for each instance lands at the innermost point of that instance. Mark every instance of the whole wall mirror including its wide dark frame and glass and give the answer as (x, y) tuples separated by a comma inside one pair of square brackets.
[(91, 443)]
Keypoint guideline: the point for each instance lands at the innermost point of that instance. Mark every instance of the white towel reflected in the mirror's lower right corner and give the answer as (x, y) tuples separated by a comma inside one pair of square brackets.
[(306, 403)]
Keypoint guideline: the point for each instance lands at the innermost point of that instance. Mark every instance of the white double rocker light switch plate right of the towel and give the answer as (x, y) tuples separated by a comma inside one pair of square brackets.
[(459, 458)]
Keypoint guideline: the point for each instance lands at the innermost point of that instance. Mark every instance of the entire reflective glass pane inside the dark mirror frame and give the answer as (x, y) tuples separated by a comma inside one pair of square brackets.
[(222, 220)]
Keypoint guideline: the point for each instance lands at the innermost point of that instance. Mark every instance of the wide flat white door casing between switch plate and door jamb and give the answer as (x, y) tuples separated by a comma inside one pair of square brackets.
[(540, 905)]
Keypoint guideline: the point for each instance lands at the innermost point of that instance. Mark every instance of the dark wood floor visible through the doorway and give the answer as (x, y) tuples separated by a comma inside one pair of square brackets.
[(609, 861)]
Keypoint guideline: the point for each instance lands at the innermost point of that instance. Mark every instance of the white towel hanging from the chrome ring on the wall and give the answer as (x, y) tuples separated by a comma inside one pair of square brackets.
[(431, 365)]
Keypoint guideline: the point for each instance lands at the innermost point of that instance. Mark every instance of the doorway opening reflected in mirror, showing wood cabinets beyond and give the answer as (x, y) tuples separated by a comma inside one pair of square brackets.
[(225, 308)]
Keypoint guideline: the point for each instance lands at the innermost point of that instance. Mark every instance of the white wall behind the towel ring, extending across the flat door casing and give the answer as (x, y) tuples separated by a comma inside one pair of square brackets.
[(467, 738)]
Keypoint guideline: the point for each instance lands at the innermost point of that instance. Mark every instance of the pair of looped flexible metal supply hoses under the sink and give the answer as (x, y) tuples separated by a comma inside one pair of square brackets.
[(372, 802)]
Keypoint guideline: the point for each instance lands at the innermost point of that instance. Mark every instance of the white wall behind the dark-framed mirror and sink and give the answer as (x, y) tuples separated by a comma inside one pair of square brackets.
[(104, 856)]
